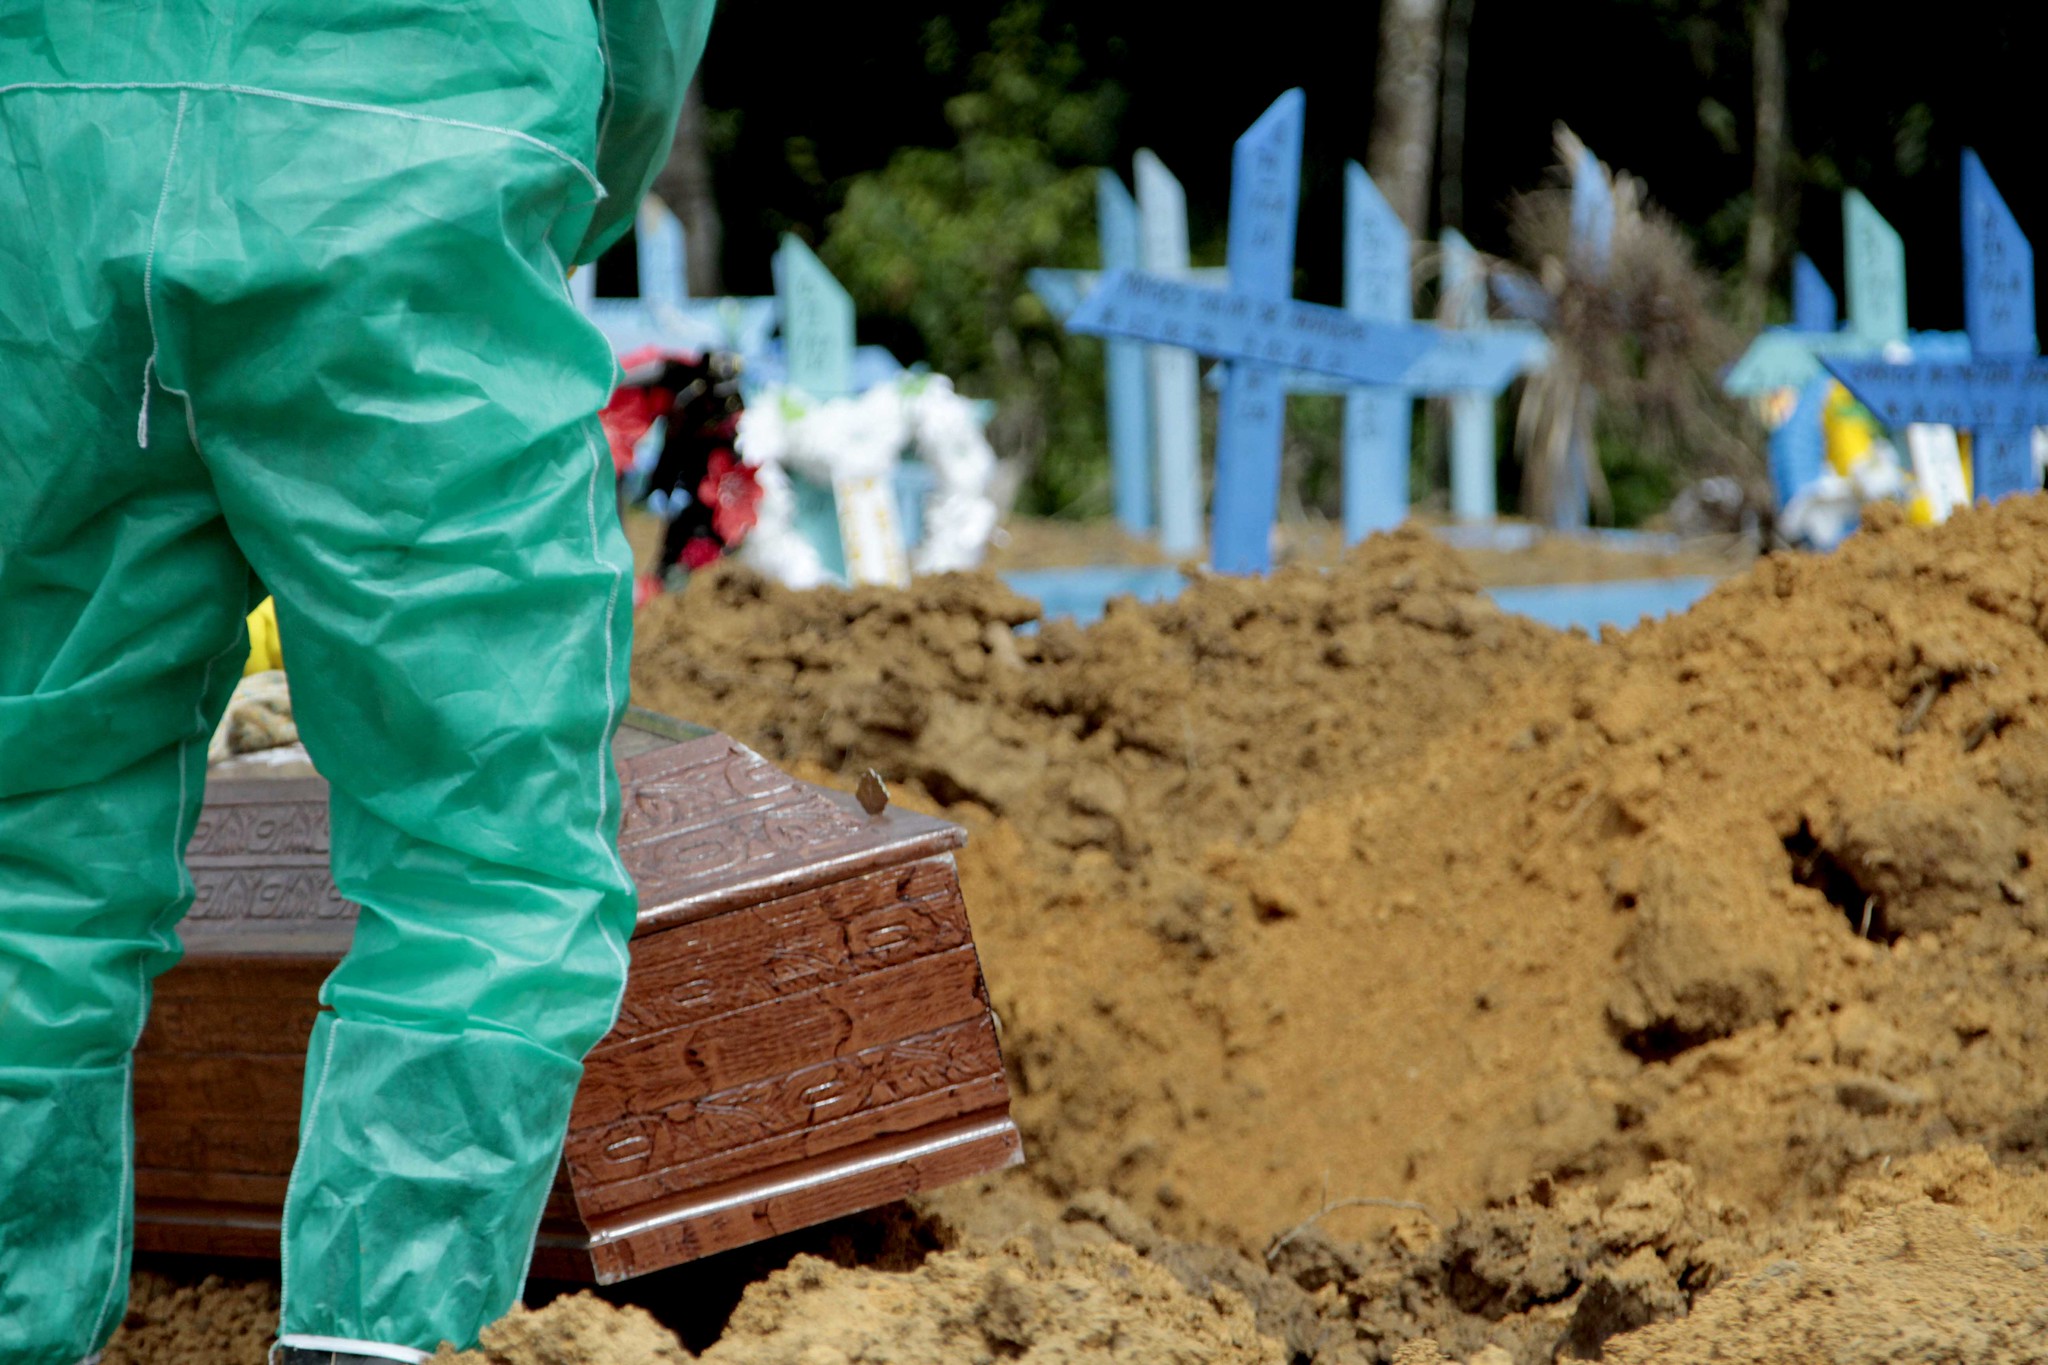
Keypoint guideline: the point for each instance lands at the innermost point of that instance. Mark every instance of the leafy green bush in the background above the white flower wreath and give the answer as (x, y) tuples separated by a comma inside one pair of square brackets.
[(941, 238)]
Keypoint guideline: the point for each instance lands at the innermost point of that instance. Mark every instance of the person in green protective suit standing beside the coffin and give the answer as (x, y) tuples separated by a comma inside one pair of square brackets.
[(284, 298)]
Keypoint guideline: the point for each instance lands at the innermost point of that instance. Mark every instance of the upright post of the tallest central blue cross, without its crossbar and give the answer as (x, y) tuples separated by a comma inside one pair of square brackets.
[(1252, 419)]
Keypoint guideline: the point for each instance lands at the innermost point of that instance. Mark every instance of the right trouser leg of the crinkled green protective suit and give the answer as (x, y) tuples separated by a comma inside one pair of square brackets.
[(396, 402)]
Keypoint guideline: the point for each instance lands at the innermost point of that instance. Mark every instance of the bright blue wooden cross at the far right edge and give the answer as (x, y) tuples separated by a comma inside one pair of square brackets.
[(2002, 392)]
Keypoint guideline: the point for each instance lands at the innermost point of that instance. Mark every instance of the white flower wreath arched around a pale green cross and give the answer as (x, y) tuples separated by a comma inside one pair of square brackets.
[(790, 437)]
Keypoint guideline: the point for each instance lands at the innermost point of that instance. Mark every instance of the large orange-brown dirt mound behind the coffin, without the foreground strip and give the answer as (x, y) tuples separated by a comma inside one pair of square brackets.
[(1351, 887)]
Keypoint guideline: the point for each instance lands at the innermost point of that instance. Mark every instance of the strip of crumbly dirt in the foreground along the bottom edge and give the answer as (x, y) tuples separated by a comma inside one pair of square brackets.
[(1938, 1260)]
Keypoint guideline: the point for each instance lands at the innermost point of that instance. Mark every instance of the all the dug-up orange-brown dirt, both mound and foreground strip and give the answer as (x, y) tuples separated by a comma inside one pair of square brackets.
[(1388, 977)]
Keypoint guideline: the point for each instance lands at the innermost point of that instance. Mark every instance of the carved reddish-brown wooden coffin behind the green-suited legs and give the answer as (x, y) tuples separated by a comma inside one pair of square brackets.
[(806, 1032)]
